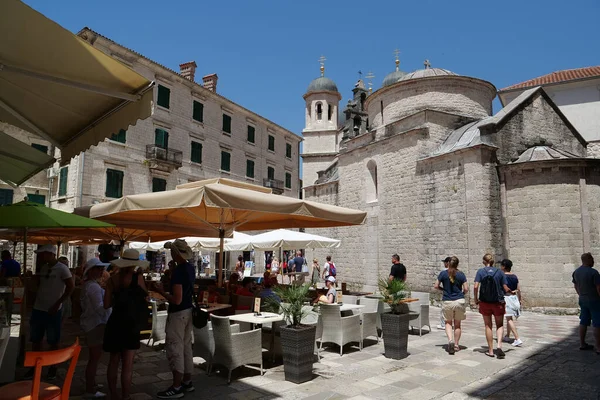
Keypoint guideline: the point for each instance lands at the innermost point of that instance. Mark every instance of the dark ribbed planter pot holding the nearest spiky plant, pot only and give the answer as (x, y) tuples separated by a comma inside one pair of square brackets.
[(298, 348)]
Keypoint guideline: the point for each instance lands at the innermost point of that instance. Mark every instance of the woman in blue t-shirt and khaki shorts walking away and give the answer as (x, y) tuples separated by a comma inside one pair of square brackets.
[(453, 301)]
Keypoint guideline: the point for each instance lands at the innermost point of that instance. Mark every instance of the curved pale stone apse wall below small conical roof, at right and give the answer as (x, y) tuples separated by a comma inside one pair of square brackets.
[(545, 232)]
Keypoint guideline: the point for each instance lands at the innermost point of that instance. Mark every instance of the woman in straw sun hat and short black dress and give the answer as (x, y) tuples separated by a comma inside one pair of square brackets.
[(122, 334)]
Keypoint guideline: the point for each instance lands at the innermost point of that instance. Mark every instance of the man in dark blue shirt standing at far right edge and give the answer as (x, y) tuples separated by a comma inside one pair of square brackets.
[(586, 280)]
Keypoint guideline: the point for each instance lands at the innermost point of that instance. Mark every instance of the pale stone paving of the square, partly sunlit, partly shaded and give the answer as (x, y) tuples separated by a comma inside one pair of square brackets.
[(549, 365)]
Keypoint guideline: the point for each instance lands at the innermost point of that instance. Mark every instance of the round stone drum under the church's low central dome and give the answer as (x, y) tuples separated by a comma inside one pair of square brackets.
[(452, 94)]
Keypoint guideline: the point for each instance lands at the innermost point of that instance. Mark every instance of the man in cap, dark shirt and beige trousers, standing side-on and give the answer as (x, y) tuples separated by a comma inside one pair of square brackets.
[(178, 342)]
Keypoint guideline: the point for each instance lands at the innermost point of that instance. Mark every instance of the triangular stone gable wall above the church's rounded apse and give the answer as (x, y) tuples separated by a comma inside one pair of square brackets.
[(537, 123)]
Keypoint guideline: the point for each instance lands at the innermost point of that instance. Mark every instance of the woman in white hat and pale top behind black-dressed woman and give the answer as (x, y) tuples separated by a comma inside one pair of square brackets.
[(93, 321)]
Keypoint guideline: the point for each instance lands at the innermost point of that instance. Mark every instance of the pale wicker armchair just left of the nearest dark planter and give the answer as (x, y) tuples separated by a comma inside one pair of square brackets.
[(233, 350)]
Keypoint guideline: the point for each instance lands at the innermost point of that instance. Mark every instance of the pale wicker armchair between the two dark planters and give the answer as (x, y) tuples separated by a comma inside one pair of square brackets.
[(337, 329)]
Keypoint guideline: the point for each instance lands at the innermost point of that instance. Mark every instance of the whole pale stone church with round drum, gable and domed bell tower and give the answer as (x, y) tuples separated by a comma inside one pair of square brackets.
[(439, 175)]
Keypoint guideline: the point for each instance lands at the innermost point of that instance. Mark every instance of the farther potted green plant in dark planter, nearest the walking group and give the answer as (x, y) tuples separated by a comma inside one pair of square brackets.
[(395, 323)]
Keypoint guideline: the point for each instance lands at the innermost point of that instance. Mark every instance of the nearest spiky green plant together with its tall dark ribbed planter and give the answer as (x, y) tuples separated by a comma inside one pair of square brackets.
[(297, 340)]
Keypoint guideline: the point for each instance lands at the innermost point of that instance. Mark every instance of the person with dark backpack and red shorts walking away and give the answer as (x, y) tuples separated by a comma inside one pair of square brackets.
[(488, 293)]
